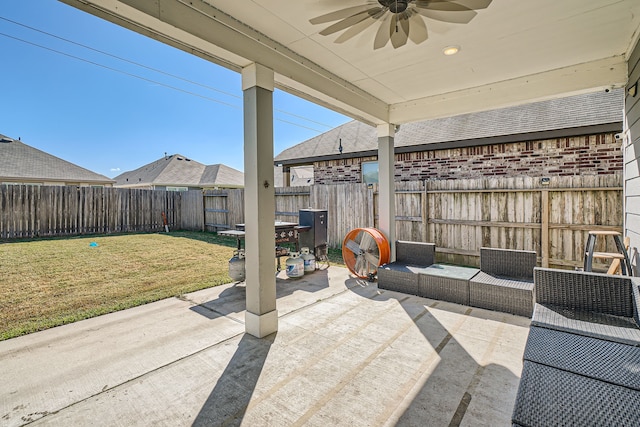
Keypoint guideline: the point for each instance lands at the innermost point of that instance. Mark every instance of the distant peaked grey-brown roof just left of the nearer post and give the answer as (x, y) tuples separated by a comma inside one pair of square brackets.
[(179, 170)]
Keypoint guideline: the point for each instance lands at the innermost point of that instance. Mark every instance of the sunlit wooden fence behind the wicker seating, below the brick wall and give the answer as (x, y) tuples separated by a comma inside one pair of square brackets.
[(460, 216)]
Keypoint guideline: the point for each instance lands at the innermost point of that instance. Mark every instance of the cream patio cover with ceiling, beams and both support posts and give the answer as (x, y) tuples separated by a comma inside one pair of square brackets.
[(510, 53)]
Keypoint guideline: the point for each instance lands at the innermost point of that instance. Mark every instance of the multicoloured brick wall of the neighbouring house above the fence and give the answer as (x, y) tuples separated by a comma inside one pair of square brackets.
[(583, 155)]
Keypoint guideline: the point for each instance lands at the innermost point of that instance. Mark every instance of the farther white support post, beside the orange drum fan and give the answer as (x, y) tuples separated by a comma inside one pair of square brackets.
[(386, 173)]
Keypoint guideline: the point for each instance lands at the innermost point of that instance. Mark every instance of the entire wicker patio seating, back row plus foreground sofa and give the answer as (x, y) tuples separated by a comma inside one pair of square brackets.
[(581, 365)]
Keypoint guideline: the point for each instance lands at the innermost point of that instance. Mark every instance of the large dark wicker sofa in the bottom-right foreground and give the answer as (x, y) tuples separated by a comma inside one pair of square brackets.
[(582, 357)]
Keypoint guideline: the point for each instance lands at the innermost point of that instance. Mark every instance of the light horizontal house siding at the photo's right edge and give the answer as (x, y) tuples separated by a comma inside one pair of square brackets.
[(632, 161)]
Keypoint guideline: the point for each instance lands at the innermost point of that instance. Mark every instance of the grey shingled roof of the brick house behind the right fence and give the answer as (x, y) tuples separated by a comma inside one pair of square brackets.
[(571, 116)]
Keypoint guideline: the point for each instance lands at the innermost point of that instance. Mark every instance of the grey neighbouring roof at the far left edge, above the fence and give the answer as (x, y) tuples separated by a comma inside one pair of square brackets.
[(20, 162)]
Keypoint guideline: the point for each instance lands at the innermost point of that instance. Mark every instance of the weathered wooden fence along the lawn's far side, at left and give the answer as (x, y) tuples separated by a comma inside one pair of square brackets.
[(28, 211)]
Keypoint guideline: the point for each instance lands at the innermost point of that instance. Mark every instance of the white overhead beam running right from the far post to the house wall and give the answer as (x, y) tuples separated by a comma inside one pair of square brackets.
[(597, 75)]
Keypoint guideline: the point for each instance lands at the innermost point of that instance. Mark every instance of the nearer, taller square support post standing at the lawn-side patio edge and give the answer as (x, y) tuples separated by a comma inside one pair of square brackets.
[(261, 318)]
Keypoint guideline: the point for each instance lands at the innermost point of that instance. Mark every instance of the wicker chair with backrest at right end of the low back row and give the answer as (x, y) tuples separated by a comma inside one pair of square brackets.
[(505, 281)]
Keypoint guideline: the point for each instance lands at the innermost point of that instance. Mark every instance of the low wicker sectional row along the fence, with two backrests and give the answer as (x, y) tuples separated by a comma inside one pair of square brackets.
[(504, 281)]
